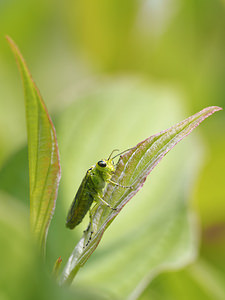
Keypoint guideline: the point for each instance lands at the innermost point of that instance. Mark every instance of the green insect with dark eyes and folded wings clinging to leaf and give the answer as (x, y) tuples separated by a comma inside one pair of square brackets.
[(91, 189)]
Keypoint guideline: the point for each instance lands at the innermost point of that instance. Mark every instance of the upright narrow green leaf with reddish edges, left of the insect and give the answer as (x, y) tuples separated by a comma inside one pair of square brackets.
[(44, 167)]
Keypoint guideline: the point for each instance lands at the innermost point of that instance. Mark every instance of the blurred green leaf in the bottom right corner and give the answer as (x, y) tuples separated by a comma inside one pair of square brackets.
[(201, 280)]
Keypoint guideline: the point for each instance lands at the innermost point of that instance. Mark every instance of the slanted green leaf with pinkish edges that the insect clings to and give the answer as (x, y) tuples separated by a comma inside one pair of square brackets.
[(132, 169)]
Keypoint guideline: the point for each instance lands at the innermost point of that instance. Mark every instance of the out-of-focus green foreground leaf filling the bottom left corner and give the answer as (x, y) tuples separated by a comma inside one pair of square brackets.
[(23, 275)]
